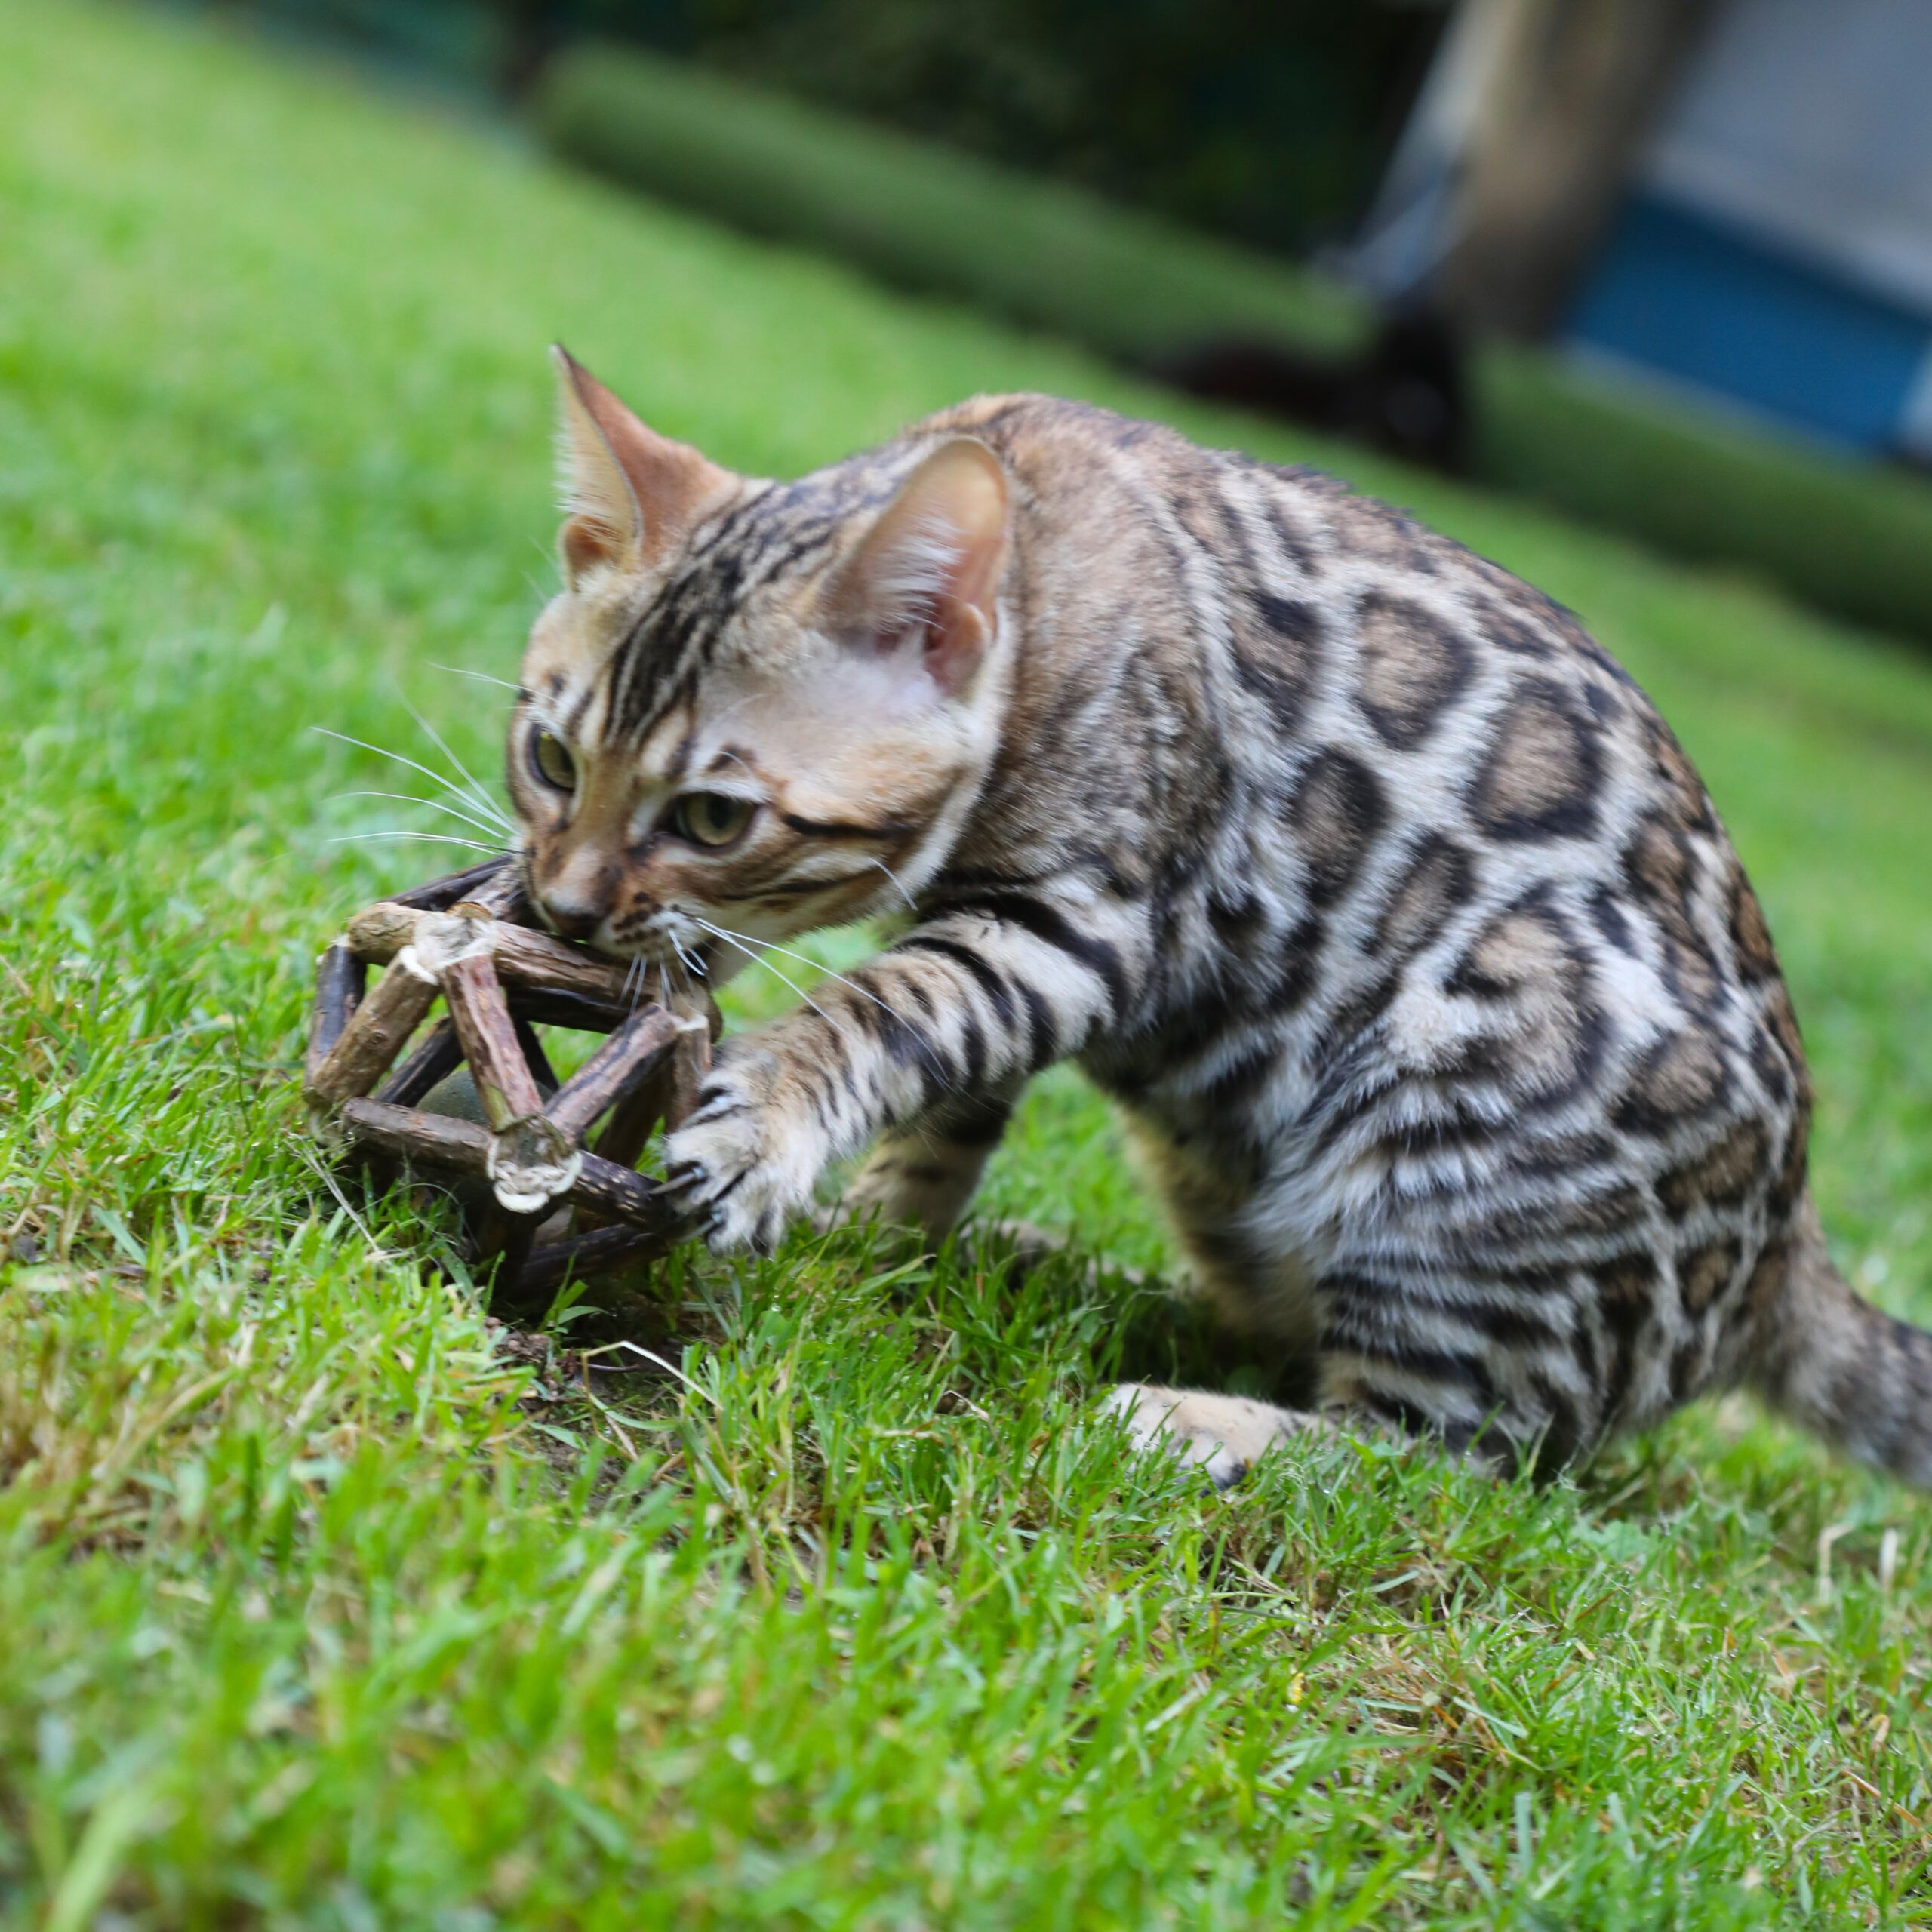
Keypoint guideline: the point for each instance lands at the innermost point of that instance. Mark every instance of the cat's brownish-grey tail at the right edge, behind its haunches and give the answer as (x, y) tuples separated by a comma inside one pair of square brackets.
[(1844, 1369)]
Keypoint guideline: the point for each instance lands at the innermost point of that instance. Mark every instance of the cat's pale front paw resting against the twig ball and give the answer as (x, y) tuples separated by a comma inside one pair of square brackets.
[(743, 1166)]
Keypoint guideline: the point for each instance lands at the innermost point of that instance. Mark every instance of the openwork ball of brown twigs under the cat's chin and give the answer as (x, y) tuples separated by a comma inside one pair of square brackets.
[(525, 1160)]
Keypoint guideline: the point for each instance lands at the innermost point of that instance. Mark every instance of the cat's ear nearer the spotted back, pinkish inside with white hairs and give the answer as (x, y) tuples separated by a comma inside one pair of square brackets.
[(928, 571)]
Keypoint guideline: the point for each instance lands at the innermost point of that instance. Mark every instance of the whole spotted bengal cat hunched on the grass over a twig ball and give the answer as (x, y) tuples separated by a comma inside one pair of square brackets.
[(1367, 884)]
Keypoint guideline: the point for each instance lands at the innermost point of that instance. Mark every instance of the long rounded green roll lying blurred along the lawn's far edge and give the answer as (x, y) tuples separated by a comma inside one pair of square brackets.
[(1842, 534)]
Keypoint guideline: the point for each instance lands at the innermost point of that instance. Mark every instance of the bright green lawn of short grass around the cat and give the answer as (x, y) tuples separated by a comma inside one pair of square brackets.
[(327, 1605)]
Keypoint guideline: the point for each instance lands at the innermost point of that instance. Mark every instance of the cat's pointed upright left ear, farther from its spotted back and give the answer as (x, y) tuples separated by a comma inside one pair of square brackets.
[(629, 492)]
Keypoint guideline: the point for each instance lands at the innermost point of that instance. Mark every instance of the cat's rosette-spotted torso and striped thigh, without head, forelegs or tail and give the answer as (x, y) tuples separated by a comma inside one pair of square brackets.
[(1452, 973)]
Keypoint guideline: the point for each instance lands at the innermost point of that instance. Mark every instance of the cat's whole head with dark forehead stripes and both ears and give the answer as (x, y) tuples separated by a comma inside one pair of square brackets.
[(753, 710)]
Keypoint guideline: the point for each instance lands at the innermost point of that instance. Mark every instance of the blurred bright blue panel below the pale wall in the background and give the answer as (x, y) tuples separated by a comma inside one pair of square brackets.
[(1713, 306)]
